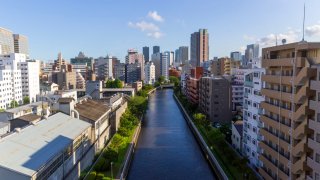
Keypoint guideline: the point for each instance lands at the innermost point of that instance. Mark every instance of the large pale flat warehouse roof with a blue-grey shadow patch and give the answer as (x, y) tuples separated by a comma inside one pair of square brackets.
[(31, 148)]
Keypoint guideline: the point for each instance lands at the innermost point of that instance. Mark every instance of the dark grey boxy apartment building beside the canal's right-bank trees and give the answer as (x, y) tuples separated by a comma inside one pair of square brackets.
[(215, 99)]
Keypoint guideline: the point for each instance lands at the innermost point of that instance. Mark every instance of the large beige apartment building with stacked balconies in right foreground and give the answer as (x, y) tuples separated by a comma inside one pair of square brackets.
[(290, 147)]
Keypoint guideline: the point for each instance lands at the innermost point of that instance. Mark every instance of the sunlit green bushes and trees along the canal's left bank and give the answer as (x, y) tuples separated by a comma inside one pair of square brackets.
[(117, 148)]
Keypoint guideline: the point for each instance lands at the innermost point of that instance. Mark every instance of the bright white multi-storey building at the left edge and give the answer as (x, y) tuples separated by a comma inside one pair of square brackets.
[(19, 78)]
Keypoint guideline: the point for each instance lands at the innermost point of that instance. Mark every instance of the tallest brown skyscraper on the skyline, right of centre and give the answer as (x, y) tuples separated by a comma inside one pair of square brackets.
[(199, 47)]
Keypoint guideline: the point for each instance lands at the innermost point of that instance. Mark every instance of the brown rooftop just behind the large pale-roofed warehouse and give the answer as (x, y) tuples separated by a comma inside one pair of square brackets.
[(91, 109)]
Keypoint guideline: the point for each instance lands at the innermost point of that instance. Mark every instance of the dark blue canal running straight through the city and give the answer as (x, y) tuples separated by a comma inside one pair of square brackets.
[(166, 147)]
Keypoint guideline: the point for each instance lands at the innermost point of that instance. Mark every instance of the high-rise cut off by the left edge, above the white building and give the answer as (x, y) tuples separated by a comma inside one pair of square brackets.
[(6, 41)]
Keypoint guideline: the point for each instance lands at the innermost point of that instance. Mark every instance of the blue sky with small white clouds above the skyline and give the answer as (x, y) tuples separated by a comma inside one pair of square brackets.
[(101, 27)]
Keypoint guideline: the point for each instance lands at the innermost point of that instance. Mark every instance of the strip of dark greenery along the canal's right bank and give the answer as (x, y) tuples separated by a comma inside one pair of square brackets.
[(234, 166)]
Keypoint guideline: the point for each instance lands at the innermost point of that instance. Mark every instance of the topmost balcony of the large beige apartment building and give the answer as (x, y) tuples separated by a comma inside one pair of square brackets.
[(300, 62)]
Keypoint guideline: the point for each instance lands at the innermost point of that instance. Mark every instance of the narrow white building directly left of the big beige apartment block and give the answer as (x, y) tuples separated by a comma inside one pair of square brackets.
[(251, 115)]
